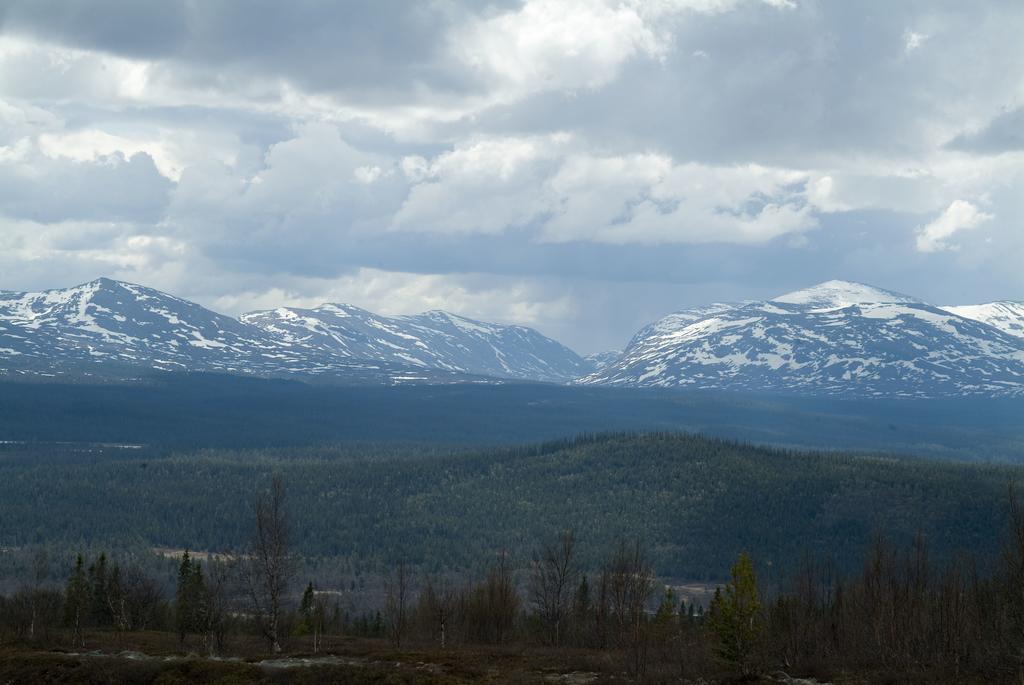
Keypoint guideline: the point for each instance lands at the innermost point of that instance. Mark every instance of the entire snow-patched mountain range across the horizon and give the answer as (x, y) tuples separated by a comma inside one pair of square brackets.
[(837, 338)]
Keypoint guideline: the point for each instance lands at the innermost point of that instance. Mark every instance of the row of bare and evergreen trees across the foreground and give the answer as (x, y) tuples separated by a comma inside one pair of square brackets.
[(903, 613)]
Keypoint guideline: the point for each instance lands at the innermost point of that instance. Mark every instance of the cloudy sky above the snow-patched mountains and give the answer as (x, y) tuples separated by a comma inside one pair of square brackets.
[(580, 166)]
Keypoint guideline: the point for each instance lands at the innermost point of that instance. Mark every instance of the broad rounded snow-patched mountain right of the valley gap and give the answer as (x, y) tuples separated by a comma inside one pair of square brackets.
[(837, 338)]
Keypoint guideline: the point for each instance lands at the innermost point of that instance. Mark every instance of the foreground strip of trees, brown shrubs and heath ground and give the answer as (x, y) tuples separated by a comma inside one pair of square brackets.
[(901, 619)]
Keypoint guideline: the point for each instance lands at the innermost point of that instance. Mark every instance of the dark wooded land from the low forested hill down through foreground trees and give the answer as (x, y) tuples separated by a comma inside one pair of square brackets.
[(655, 556)]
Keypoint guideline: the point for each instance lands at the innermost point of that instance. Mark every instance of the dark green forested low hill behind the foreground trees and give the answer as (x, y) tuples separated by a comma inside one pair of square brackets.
[(696, 502)]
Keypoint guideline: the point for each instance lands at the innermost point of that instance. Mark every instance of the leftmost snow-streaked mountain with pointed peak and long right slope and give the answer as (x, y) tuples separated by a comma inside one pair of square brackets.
[(112, 328)]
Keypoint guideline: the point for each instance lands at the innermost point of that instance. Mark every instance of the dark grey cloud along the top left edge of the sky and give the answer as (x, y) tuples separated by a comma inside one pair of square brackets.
[(376, 48)]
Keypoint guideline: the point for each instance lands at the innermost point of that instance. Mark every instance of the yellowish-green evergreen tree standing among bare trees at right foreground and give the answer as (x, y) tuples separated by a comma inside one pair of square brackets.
[(737, 618)]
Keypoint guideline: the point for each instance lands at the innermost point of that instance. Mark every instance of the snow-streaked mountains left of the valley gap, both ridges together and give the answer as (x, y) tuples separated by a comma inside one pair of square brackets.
[(112, 329)]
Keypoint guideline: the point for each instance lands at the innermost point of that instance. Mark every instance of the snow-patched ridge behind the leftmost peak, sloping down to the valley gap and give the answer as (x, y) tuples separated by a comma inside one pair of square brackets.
[(432, 340)]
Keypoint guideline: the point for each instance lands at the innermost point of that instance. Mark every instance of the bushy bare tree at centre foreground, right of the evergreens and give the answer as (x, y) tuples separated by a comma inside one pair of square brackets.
[(552, 582)]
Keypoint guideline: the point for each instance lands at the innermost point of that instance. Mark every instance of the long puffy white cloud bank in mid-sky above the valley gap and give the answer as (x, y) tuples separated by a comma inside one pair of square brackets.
[(495, 186)]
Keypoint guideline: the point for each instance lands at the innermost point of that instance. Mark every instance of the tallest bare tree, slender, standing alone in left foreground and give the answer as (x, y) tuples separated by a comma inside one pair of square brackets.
[(270, 566)]
